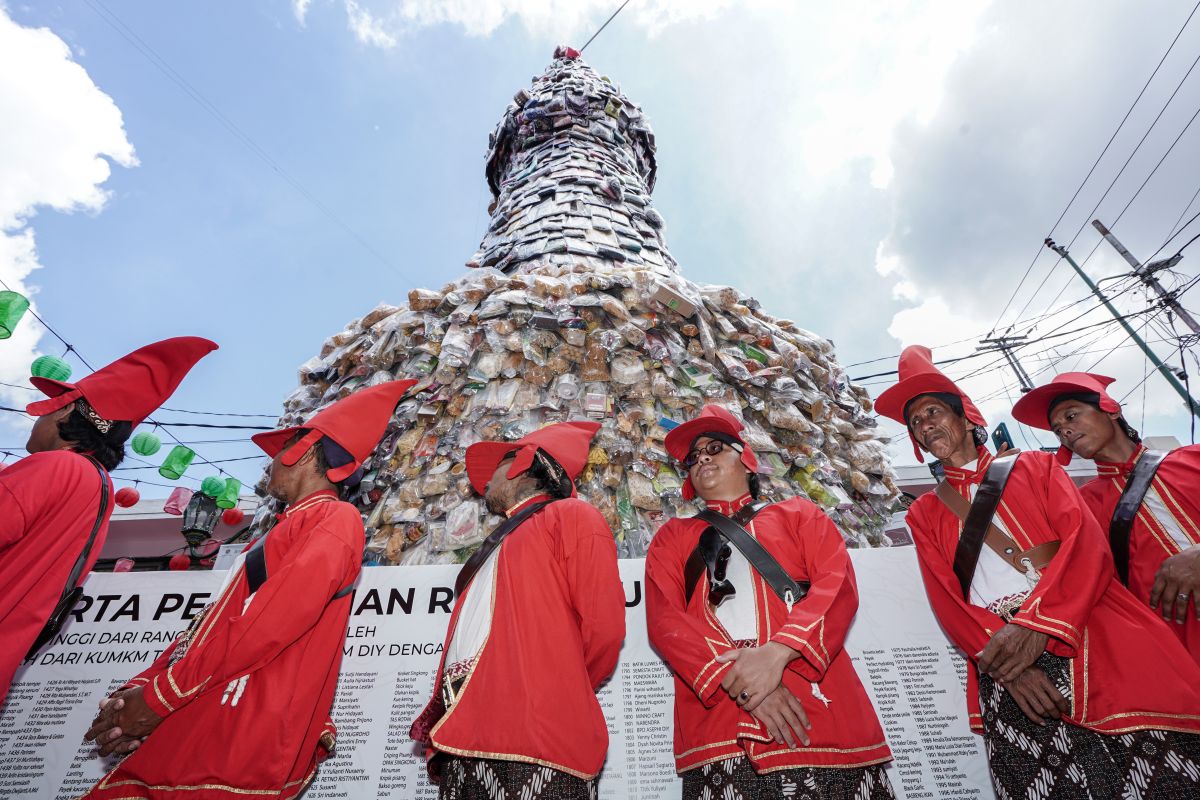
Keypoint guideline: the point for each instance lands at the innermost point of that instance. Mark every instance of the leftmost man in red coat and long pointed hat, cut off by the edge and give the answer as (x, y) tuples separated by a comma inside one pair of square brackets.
[(51, 502)]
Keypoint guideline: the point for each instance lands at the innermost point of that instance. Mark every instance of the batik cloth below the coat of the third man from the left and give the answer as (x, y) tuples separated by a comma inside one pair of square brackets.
[(481, 779)]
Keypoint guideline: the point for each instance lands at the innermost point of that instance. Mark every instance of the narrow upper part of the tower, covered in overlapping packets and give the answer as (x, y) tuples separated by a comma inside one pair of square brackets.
[(572, 169)]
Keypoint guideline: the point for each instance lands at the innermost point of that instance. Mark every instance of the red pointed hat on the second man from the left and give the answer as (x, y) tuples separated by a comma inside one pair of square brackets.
[(356, 424)]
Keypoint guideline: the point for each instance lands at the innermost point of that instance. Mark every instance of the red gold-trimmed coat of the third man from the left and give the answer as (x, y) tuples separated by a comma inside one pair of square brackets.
[(557, 624)]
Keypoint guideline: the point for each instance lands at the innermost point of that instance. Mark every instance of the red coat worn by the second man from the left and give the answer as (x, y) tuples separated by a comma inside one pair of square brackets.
[(247, 708)]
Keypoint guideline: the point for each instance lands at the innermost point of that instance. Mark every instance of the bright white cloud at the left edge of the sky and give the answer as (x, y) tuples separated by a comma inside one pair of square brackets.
[(56, 148)]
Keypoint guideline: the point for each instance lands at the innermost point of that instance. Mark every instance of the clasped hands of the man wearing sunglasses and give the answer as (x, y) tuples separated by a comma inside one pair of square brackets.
[(755, 683)]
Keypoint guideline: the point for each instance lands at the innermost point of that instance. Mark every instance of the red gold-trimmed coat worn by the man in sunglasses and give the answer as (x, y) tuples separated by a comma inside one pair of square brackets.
[(710, 726)]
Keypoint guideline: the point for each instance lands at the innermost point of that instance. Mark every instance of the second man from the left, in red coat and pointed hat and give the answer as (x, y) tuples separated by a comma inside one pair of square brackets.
[(239, 705)]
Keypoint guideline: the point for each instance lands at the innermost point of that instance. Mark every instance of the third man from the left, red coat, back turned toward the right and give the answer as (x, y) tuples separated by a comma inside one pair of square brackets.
[(537, 628)]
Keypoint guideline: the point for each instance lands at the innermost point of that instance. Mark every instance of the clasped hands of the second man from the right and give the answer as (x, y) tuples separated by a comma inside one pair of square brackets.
[(1009, 659)]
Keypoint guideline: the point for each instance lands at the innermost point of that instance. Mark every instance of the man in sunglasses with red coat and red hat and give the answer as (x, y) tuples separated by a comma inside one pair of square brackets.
[(767, 701)]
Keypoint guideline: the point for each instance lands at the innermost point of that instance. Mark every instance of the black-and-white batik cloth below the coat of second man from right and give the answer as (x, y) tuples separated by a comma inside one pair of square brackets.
[(1065, 762)]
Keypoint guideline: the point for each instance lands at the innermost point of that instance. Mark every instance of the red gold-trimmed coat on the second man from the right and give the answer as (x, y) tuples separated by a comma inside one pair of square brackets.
[(1129, 673)]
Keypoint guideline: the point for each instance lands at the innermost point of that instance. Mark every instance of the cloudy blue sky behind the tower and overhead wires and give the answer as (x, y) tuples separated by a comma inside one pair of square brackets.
[(880, 175)]
